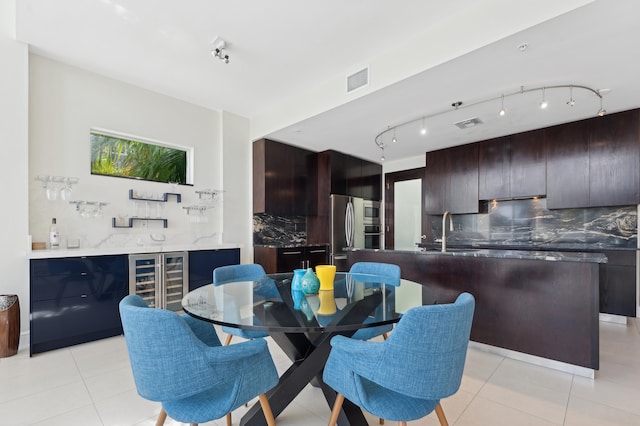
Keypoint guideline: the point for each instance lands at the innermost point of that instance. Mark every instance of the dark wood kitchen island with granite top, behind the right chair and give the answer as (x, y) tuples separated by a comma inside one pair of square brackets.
[(543, 304)]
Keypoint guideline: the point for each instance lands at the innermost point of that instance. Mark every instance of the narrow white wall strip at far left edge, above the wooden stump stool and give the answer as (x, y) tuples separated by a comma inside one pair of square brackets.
[(13, 173)]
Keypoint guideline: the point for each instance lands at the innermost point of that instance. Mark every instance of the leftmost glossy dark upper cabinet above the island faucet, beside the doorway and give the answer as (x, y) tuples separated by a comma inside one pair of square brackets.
[(451, 180)]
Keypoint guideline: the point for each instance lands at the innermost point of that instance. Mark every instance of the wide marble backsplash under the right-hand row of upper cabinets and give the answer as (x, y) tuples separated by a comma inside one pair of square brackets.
[(529, 221)]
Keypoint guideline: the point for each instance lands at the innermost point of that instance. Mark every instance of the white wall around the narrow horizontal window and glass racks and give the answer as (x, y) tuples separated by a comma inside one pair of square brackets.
[(64, 104)]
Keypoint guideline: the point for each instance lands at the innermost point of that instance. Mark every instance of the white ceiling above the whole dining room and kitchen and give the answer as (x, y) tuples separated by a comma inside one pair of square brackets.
[(281, 51)]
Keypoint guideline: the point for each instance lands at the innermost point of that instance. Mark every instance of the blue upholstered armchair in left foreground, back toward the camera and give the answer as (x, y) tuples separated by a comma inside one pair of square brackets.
[(178, 361)]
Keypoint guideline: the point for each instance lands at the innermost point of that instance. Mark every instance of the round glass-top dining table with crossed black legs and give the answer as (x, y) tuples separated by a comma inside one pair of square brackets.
[(303, 324)]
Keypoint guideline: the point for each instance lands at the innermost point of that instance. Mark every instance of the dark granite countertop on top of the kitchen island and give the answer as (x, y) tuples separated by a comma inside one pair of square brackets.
[(510, 254)]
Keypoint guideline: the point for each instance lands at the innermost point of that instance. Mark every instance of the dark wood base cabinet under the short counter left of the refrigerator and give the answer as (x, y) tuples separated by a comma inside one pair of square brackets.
[(286, 259)]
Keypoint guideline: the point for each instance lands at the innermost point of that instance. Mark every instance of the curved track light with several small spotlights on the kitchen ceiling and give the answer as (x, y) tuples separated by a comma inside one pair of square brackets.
[(457, 105)]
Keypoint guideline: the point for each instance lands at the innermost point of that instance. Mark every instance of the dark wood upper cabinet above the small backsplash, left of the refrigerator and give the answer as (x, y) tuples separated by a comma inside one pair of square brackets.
[(279, 178)]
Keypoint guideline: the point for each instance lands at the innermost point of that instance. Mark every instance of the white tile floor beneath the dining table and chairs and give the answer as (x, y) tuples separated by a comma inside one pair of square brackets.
[(91, 384)]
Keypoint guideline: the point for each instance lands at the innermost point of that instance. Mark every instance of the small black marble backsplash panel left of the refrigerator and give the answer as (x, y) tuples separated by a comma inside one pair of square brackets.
[(276, 230)]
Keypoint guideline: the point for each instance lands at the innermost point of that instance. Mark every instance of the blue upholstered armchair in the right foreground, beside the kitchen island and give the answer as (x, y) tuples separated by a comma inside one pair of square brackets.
[(404, 377)]
